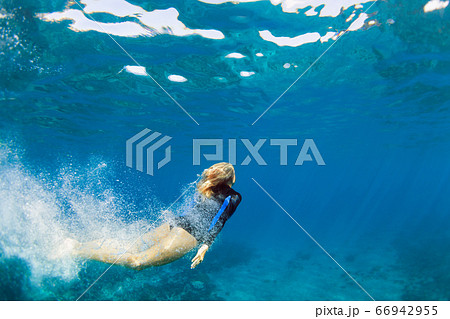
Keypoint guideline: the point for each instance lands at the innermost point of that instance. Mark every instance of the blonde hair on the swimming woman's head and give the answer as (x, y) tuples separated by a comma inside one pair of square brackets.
[(218, 174)]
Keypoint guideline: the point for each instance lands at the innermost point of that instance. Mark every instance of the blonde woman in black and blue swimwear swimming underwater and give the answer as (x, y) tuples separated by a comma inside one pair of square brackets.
[(213, 204)]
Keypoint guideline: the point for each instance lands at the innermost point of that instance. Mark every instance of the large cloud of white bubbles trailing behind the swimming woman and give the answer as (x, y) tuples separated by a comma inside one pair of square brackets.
[(37, 215)]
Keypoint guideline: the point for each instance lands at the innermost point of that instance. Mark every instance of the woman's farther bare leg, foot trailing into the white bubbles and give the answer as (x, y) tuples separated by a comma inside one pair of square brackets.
[(109, 250)]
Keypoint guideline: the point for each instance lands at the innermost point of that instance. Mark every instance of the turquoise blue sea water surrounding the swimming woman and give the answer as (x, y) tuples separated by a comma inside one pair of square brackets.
[(376, 105)]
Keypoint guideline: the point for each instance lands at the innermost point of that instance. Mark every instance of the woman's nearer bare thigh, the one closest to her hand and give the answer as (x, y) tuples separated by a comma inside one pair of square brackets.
[(174, 246)]
